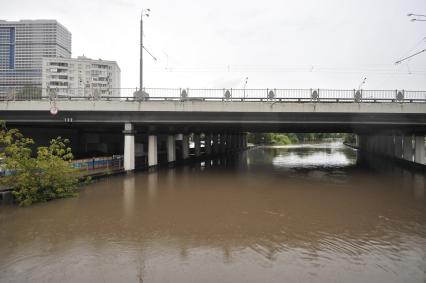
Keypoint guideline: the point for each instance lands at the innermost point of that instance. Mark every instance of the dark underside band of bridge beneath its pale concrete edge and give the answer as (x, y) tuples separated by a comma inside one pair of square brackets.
[(166, 122)]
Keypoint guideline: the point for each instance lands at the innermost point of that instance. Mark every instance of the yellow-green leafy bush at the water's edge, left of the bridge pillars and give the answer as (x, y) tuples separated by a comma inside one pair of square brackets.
[(46, 176)]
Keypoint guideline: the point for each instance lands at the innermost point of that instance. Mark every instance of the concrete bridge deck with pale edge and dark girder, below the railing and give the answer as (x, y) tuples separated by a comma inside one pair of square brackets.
[(243, 116)]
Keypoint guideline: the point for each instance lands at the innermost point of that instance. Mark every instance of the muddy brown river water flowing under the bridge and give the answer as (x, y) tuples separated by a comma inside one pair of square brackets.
[(306, 213)]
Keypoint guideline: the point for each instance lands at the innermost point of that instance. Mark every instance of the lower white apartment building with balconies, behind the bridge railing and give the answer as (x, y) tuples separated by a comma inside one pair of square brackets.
[(81, 76)]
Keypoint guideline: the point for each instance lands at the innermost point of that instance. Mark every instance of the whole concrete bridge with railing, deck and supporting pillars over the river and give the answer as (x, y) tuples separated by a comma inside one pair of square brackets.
[(387, 122)]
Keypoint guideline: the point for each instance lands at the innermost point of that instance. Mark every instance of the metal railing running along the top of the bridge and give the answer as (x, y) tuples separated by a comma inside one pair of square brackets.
[(226, 95)]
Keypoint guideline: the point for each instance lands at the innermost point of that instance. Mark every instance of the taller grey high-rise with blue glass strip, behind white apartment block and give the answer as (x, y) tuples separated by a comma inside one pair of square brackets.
[(23, 44)]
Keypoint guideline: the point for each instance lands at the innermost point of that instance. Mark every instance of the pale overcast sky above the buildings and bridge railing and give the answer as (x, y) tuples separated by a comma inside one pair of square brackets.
[(217, 44)]
